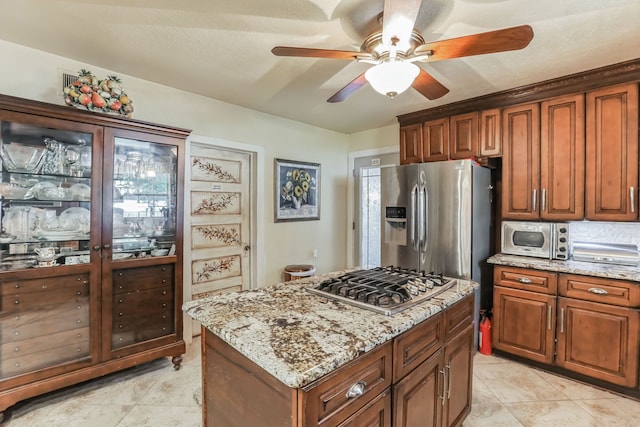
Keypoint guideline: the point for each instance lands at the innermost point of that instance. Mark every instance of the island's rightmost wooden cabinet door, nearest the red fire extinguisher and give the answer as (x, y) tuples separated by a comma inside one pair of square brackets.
[(458, 363)]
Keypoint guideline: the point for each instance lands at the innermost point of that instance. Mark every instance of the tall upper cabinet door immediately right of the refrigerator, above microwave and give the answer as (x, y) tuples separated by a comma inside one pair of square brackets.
[(521, 162)]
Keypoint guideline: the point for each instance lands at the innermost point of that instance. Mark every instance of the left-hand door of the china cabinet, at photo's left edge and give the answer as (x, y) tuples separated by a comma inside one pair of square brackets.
[(46, 281)]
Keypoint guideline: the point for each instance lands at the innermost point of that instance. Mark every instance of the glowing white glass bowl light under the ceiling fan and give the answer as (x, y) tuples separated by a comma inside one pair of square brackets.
[(392, 78)]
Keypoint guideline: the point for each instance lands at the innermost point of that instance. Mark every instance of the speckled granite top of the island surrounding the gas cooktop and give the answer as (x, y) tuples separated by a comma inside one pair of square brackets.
[(298, 336)]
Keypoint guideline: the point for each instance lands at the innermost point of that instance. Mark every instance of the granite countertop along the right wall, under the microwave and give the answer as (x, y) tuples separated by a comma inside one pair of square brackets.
[(609, 271)]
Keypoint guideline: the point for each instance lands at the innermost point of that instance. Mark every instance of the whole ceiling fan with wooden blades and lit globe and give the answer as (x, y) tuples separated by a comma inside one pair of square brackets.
[(395, 48)]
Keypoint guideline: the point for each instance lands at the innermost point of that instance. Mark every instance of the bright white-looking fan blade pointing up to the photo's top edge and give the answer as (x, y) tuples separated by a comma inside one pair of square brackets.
[(398, 19)]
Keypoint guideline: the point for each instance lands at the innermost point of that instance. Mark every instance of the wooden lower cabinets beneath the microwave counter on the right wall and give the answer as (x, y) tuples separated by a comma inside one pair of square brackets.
[(590, 326)]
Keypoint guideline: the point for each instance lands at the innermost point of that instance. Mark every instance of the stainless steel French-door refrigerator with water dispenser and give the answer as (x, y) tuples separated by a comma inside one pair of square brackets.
[(437, 218)]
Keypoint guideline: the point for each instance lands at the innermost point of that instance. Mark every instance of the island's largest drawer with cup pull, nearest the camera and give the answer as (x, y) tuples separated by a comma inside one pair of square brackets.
[(328, 396)]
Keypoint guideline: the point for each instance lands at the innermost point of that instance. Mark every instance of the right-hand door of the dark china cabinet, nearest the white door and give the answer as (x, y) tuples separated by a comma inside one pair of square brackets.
[(142, 241)]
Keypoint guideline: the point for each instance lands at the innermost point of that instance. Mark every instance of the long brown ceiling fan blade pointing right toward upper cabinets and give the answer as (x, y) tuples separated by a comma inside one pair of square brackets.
[(513, 38)]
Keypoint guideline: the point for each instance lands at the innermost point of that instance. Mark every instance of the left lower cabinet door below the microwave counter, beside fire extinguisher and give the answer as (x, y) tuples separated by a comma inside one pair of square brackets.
[(524, 323)]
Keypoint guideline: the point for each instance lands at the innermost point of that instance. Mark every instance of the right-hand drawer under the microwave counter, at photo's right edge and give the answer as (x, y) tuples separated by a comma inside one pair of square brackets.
[(608, 291)]
